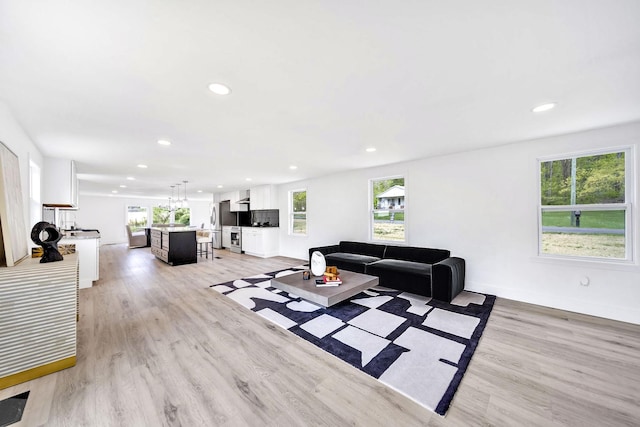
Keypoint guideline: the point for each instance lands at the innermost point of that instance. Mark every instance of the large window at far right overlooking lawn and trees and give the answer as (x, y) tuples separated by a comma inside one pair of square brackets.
[(585, 206)]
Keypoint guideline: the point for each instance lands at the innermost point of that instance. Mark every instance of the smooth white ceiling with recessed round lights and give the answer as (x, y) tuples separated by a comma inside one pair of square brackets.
[(314, 82)]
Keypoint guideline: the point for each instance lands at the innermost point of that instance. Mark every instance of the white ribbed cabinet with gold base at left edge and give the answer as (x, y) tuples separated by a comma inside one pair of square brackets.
[(38, 319)]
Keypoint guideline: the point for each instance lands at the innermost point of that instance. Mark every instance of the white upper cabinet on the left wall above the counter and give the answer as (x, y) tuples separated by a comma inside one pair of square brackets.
[(60, 183)]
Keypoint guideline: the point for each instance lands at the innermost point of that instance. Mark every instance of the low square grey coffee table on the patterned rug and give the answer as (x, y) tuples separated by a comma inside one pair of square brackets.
[(352, 284)]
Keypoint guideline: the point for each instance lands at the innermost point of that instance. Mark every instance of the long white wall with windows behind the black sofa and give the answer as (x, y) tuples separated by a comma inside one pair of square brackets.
[(482, 205)]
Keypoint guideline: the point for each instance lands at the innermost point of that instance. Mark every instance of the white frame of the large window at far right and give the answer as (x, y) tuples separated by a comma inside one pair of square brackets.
[(627, 206)]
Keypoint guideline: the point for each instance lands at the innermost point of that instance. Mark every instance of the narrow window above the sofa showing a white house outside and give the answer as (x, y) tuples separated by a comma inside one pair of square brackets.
[(388, 209)]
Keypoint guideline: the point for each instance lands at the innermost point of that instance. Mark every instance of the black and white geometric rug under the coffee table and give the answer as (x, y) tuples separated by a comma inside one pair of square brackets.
[(416, 345)]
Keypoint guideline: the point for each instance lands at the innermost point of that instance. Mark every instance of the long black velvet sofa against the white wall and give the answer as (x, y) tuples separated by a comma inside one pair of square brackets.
[(423, 271)]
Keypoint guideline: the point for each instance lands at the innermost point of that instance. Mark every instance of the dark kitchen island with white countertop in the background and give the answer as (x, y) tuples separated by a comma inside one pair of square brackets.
[(174, 245)]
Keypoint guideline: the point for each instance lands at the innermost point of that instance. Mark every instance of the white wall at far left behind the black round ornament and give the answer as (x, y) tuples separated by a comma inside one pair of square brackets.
[(13, 136)]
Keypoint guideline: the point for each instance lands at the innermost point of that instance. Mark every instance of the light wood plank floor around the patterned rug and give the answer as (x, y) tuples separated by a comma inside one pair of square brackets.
[(157, 346)]
